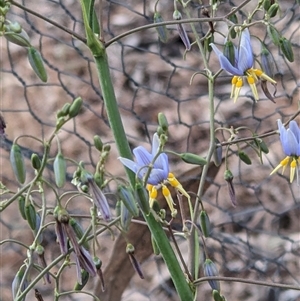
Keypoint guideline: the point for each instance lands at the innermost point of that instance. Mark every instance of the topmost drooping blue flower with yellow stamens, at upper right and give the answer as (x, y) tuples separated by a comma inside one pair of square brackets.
[(242, 65)]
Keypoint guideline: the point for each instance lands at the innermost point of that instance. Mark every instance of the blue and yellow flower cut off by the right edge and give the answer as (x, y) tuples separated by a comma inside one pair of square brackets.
[(290, 141)]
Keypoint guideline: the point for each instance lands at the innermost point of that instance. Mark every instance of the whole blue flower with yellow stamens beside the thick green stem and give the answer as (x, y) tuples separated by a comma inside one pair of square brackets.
[(159, 176)]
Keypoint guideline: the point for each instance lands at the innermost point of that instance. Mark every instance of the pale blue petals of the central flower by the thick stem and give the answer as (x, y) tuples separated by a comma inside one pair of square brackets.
[(144, 161)]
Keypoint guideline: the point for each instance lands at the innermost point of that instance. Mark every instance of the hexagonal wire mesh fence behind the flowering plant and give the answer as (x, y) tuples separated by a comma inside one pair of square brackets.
[(258, 239)]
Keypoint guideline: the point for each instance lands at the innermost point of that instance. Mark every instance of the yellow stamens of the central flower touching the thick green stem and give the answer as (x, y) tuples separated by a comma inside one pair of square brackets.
[(166, 192)]
